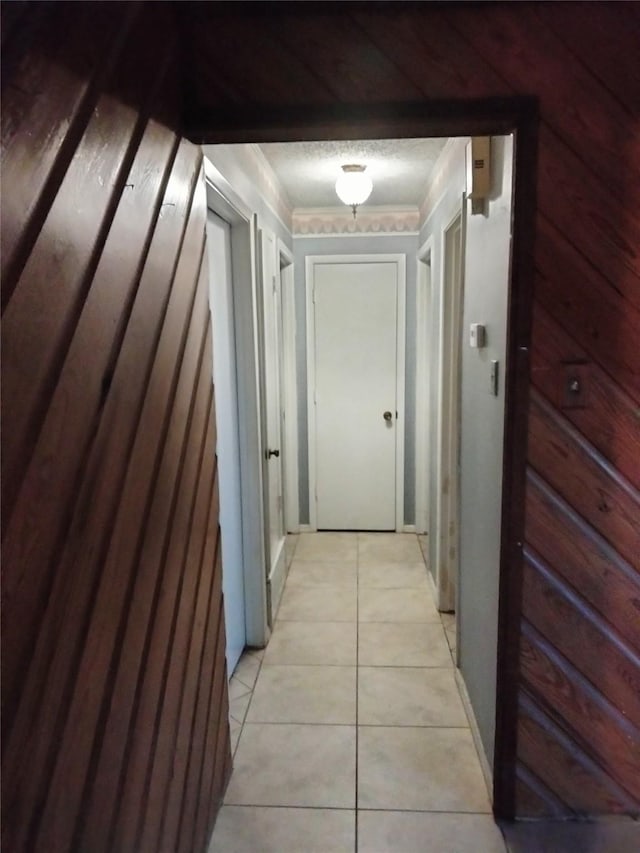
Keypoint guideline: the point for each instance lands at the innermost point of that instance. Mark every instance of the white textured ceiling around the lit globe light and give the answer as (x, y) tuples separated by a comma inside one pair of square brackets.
[(399, 168)]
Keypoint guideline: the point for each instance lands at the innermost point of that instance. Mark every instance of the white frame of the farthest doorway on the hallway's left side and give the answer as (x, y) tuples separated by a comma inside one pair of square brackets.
[(289, 390)]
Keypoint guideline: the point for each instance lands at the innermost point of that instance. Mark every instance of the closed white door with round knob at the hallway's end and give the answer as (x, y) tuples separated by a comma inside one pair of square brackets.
[(355, 395)]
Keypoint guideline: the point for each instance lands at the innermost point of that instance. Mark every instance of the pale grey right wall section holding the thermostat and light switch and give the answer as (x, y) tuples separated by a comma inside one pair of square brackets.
[(488, 241)]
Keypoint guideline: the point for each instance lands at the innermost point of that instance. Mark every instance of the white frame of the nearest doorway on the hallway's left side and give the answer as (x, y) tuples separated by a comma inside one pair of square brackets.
[(223, 200)]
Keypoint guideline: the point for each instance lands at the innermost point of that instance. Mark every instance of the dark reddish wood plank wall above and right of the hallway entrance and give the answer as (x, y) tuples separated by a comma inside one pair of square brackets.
[(579, 719)]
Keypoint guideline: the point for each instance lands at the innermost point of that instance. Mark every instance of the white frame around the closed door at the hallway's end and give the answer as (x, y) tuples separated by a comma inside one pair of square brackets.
[(310, 263)]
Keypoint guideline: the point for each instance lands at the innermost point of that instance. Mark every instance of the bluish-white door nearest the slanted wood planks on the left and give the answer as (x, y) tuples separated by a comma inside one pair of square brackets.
[(228, 449)]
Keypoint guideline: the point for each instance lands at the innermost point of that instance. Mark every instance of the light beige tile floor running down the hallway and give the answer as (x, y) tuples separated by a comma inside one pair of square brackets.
[(348, 732)]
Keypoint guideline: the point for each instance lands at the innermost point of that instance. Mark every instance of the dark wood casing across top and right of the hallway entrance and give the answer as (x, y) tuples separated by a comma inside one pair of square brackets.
[(448, 117)]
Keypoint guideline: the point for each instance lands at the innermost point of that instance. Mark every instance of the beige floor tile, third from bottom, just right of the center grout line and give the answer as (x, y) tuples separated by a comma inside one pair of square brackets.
[(401, 696)]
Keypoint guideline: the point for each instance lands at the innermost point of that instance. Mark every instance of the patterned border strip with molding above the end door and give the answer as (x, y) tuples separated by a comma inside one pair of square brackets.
[(339, 221)]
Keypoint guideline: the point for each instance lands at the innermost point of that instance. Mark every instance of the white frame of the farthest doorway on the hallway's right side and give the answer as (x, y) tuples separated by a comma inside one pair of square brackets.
[(424, 370)]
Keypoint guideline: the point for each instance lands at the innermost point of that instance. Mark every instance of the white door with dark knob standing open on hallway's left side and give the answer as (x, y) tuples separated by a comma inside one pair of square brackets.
[(273, 477)]
